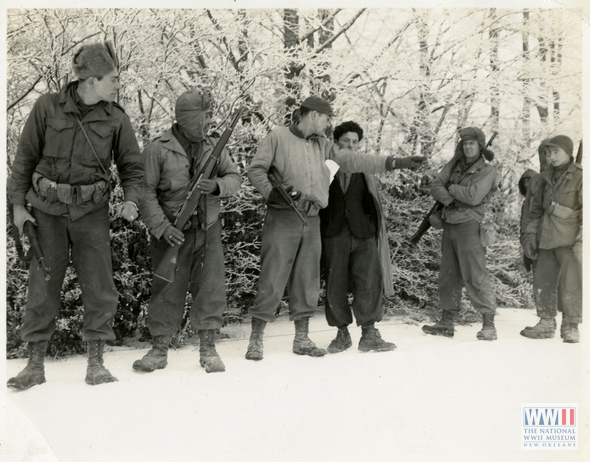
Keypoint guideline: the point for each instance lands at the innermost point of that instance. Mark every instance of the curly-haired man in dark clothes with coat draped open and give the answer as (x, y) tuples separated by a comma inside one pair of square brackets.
[(355, 252)]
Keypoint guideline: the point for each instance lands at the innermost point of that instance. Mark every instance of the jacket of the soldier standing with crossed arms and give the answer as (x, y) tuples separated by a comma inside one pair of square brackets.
[(464, 194)]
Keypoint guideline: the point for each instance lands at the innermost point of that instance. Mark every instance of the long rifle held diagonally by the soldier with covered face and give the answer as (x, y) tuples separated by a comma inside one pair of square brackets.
[(167, 266)]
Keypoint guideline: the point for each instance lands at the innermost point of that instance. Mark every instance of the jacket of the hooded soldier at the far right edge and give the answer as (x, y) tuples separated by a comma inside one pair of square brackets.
[(555, 212)]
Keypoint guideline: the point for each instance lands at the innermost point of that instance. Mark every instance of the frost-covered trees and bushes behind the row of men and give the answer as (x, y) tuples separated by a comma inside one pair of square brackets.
[(410, 77)]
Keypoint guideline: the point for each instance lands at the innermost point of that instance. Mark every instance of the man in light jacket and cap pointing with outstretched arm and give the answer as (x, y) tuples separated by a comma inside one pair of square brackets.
[(290, 251)]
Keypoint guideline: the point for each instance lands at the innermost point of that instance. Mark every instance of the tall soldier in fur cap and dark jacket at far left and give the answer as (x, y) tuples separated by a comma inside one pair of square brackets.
[(61, 169)]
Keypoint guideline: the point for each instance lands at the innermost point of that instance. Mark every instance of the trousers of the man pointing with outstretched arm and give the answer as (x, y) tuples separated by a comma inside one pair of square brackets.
[(290, 255)]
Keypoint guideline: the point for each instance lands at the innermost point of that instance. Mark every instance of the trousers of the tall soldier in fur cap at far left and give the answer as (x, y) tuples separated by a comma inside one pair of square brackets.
[(89, 241)]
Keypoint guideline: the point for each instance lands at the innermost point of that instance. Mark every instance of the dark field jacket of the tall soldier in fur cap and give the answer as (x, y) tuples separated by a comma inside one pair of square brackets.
[(53, 145)]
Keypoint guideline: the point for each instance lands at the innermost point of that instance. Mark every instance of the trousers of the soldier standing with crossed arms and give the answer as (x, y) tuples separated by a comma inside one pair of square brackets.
[(463, 263)]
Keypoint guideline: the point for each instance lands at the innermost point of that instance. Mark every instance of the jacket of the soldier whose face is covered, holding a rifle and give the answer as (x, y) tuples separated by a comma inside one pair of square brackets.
[(167, 182)]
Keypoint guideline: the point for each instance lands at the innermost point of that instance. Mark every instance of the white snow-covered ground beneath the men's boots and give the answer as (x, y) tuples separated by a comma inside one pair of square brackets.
[(433, 399)]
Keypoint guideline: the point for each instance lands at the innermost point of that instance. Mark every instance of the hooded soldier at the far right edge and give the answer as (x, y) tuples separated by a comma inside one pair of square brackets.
[(553, 237)]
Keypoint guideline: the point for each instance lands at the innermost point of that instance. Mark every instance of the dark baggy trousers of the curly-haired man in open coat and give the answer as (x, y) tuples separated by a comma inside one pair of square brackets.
[(352, 264)]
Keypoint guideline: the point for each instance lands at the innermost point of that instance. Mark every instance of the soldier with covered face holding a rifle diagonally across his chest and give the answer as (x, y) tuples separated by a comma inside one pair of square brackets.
[(185, 166)]
